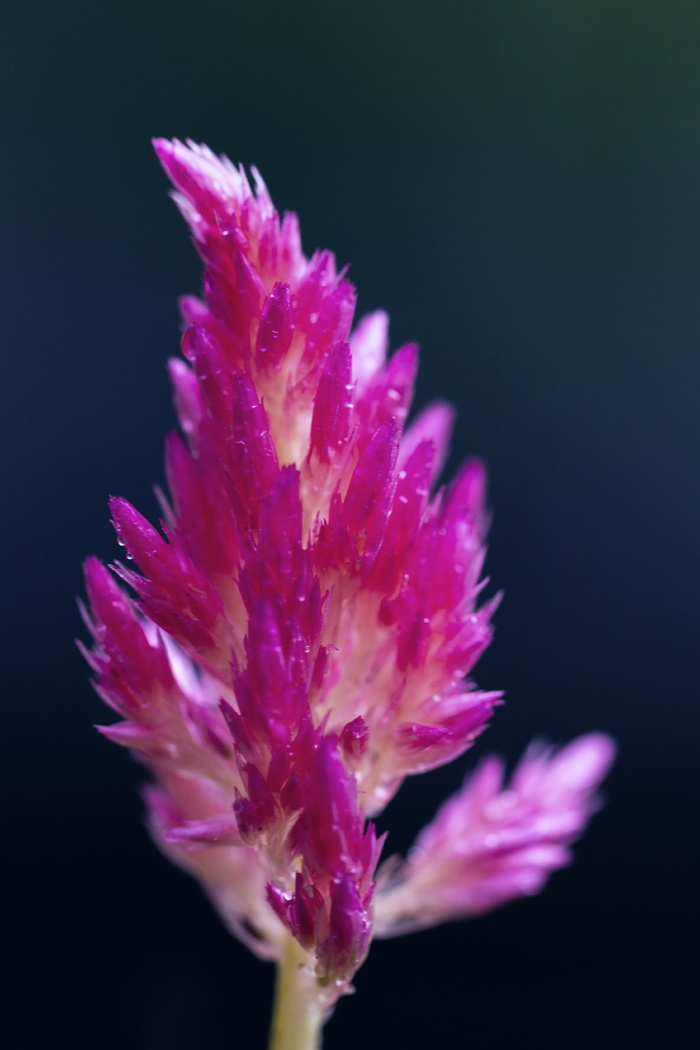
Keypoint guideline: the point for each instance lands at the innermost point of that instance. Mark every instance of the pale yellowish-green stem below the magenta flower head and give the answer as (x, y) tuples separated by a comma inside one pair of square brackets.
[(298, 1017)]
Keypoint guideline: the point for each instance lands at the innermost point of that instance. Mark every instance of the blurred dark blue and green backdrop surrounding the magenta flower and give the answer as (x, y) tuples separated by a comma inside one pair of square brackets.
[(517, 184)]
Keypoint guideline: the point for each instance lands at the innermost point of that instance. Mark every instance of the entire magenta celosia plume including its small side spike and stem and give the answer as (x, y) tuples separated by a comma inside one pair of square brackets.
[(306, 621)]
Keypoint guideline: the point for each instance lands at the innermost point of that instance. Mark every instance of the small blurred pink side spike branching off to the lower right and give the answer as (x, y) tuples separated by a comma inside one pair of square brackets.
[(489, 845)]
